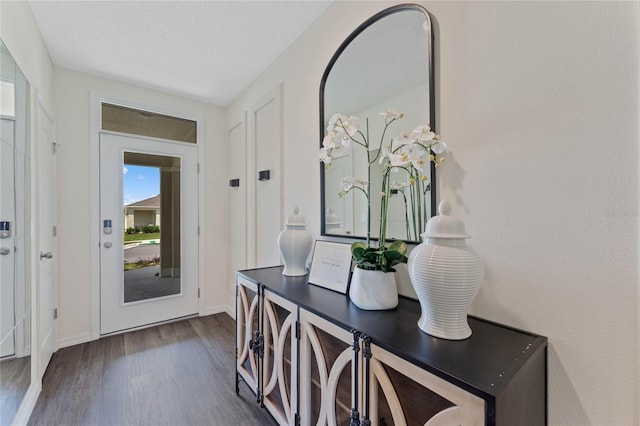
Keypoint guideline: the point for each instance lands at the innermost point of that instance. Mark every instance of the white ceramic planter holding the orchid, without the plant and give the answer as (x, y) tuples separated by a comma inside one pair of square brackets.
[(373, 290)]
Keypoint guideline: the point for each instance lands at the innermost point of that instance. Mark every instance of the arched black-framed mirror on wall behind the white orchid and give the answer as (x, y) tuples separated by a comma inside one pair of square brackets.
[(385, 64)]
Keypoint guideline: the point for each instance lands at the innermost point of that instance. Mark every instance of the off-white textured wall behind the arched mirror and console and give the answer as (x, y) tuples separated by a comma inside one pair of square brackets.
[(539, 105)]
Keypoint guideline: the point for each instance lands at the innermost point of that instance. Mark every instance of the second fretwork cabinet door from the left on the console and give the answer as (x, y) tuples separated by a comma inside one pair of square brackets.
[(280, 358)]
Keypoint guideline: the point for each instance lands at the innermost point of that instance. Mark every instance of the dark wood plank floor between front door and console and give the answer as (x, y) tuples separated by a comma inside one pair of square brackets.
[(174, 374)]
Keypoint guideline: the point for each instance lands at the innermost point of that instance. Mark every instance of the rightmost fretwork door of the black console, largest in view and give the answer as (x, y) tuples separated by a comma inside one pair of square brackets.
[(403, 394)]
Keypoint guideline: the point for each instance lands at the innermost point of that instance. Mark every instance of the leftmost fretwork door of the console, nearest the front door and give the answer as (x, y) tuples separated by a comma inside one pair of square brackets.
[(248, 308)]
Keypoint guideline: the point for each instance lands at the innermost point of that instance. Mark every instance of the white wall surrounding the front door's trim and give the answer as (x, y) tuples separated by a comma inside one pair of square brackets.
[(73, 107)]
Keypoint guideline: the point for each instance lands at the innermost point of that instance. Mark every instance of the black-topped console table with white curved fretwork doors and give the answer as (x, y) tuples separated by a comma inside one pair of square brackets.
[(312, 357)]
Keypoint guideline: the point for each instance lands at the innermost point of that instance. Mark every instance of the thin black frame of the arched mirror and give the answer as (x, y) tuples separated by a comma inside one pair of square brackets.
[(432, 103)]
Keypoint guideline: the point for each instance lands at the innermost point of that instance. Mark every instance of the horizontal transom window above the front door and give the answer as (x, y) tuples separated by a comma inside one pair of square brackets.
[(144, 123)]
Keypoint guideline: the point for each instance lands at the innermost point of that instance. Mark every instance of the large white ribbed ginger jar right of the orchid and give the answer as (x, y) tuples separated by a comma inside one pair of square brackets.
[(446, 276)]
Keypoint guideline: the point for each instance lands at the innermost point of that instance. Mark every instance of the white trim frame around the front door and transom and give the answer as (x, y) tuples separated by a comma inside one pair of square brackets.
[(97, 99)]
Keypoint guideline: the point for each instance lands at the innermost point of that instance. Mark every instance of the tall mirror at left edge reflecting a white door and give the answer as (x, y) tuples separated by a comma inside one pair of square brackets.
[(15, 298)]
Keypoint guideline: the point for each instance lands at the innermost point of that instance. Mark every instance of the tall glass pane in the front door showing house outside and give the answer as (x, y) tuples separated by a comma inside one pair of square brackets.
[(151, 208)]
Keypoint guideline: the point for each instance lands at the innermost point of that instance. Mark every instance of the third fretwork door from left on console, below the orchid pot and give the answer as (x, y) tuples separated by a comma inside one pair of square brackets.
[(327, 372)]
